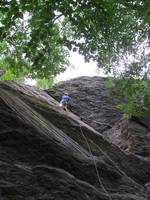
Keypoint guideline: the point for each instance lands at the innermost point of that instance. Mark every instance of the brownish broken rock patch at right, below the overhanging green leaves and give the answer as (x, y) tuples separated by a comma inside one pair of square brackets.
[(131, 136)]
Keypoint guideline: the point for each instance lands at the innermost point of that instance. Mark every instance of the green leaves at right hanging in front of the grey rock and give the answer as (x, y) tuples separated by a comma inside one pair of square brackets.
[(136, 95)]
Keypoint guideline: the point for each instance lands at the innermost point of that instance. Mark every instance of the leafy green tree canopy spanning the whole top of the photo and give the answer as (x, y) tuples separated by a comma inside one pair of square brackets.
[(106, 31)]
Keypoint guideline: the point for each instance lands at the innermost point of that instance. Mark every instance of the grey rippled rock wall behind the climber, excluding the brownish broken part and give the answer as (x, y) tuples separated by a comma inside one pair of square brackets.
[(91, 100)]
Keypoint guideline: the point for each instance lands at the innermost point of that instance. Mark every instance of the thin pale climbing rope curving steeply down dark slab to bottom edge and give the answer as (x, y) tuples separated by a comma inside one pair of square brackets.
[(95, 165)]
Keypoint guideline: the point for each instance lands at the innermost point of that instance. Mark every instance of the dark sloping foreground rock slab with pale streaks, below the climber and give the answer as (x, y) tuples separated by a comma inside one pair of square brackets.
[(47, 153)]
